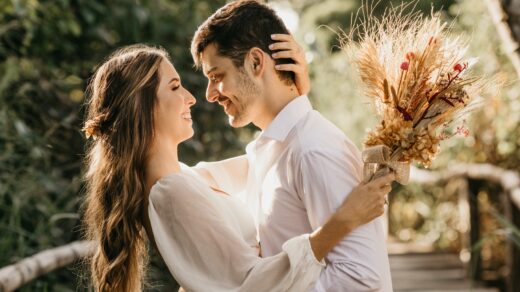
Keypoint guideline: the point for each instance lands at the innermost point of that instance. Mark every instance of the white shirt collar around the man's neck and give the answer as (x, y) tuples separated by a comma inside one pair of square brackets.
[(287, 118)]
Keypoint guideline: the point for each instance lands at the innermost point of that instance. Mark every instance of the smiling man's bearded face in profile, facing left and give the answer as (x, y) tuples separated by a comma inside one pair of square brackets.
[(231, 87)]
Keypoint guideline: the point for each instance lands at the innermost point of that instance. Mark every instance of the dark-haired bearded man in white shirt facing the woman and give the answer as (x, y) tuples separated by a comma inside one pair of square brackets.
[(301, 167)]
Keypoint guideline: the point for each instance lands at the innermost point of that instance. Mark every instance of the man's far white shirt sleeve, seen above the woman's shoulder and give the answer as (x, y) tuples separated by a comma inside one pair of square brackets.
[(229, 175)]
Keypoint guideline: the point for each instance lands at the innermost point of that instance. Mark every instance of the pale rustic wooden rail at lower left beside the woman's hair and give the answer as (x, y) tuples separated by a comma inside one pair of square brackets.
[(14, 276)]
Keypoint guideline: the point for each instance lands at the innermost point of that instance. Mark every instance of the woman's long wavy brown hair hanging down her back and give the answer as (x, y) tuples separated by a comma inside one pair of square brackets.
[(120, 119)]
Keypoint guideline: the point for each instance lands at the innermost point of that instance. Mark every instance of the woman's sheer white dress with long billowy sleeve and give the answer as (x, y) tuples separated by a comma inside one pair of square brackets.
[(208, 241)]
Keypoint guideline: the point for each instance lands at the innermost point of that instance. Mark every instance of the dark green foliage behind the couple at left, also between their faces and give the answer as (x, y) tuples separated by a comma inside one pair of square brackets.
[(48, 50)]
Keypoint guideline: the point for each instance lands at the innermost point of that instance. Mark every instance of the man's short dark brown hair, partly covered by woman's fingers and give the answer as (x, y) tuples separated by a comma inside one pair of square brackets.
[(236, 28)]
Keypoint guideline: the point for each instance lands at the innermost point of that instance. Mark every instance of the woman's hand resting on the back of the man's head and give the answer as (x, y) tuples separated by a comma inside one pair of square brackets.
[(286, 47)]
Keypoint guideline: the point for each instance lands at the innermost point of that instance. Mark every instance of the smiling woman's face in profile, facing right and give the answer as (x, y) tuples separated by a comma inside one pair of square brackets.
[(172, 117)]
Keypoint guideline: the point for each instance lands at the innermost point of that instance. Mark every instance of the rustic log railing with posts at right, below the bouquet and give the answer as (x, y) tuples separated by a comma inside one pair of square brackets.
[(472, 178)]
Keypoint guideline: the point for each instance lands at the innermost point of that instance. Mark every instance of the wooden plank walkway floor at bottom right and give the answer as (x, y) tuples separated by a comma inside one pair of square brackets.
[(431, 272)]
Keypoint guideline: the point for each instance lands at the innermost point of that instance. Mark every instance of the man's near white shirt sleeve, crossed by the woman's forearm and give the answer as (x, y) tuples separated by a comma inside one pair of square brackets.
[(326, 177)]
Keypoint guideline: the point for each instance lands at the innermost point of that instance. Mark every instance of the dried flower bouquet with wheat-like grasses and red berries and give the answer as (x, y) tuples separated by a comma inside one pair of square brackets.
[(418, 77)]
